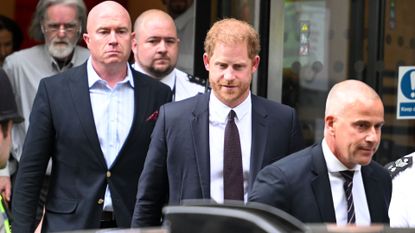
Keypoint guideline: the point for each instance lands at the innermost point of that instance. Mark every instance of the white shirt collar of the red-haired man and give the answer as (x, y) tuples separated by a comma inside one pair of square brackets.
[(219, 111)]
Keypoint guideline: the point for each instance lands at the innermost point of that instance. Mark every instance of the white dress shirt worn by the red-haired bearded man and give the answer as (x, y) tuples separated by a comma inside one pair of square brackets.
[(218, 114)]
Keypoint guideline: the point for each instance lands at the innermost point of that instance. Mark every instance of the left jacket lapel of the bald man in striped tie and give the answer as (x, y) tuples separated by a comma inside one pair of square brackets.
[(321, 185)]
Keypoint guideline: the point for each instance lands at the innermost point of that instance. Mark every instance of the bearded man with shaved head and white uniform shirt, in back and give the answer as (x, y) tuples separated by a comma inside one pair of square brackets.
[(156, 48)]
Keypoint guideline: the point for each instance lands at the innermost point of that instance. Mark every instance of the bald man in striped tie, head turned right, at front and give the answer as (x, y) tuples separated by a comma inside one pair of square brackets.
[(336, 180)]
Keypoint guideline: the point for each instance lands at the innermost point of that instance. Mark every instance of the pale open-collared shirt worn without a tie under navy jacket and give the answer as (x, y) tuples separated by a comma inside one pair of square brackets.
[(113, 110)]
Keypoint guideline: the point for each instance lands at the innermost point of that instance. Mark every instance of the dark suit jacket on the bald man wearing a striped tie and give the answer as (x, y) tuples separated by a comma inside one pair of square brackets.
[(299, 184)]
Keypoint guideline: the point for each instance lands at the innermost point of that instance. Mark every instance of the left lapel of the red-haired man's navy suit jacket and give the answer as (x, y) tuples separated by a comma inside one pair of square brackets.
[(200, 135)]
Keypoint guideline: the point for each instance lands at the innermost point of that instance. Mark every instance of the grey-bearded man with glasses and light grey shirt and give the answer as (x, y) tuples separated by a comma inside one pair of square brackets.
[(59, 24)]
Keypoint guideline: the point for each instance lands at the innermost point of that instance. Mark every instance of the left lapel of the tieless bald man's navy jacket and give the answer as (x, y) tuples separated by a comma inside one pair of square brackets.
[(78, 86)]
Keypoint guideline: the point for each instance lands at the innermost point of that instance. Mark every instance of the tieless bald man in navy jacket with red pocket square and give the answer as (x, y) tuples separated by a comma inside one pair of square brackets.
[(95, 122)]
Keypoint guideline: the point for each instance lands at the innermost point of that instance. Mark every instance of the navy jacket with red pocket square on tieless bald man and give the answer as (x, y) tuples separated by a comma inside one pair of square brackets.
[(62, 127)]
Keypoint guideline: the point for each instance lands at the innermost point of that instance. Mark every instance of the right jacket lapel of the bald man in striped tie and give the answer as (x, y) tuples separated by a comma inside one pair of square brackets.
[(374, 195)]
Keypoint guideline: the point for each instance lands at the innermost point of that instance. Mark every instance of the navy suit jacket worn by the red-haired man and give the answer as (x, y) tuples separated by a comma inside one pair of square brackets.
[(178, 163)]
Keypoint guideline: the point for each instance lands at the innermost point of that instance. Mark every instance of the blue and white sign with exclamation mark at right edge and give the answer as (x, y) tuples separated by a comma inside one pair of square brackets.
[(405, 107)]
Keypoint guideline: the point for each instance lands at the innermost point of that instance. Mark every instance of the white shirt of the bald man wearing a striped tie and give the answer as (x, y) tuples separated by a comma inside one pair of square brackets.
[(334, 166)]
